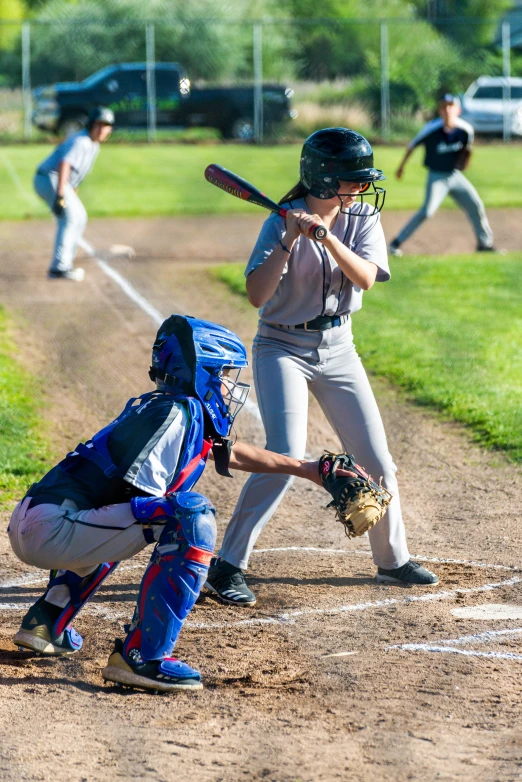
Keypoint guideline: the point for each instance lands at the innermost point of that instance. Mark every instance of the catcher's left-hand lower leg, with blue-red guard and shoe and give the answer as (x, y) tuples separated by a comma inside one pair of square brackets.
[(46, 628)]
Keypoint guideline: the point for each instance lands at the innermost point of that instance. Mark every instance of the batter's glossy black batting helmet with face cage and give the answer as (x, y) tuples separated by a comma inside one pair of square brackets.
[(335, 155)]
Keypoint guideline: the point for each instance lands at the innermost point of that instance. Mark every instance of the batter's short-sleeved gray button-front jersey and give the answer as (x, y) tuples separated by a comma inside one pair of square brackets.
[(312, 283)]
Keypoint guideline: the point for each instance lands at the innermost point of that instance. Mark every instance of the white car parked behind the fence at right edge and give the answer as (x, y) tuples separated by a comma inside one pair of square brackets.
[(487, 100)]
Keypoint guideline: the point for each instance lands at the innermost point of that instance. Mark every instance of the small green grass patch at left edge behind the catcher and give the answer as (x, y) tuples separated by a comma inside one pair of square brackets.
[(24, 451)]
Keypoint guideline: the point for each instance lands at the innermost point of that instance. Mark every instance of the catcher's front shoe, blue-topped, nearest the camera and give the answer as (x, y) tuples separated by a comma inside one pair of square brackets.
[(166, 675)]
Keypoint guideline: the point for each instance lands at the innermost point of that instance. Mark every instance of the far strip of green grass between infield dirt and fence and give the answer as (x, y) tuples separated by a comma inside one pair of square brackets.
[(167, 179)]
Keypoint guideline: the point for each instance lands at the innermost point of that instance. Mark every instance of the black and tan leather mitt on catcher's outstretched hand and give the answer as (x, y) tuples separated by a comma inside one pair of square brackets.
[(359, 502)]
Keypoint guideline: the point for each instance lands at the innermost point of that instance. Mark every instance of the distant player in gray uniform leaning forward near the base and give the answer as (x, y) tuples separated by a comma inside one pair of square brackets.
[(56, 181)]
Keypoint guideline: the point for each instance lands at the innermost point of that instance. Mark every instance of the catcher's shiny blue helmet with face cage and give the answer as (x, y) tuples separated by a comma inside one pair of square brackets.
[(198, 358)]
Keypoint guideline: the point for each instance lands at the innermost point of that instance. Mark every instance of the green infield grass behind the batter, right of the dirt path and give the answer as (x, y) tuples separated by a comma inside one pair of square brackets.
[(448, 330)]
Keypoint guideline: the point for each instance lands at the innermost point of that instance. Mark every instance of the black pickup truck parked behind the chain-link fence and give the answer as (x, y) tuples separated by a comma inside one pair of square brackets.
[(63, 108)]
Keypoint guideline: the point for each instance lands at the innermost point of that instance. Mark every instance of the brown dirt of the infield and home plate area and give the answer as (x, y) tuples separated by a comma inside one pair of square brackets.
[(330, 676)]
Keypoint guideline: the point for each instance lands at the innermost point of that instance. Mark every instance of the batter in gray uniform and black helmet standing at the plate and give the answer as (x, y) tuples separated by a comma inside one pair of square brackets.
[(307, 291)]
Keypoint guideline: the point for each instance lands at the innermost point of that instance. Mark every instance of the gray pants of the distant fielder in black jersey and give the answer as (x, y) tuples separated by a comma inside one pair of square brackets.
[(455, 184)]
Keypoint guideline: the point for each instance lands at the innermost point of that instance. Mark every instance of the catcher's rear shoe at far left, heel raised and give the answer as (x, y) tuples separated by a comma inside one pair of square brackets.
[(36, 632)]
